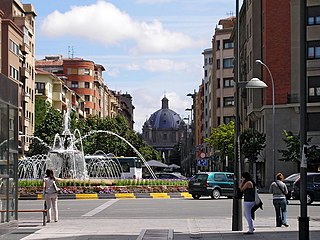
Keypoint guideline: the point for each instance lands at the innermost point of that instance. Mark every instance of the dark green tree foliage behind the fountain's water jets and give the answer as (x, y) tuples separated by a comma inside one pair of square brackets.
[(52, 124)]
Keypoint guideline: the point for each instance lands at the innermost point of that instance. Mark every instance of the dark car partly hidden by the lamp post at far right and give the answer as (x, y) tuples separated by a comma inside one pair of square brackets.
[(313, 188)]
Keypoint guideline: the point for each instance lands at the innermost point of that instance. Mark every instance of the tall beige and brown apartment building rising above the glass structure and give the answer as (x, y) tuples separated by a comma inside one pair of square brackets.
[(17, 60)]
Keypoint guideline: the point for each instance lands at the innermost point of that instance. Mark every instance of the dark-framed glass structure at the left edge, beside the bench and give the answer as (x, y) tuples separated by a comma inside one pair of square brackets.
[(8, 154)]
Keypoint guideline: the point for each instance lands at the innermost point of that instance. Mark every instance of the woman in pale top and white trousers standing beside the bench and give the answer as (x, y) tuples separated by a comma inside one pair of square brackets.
[(50, 190)]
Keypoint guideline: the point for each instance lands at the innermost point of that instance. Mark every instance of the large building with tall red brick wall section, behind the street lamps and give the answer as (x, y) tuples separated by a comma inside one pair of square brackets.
[(269, 32)]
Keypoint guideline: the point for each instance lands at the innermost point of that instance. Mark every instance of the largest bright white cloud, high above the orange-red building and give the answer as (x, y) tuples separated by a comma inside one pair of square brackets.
[(105, 23)]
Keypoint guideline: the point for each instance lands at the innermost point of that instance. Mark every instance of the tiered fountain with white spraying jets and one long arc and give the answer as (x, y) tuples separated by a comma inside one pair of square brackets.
[(66, 158)]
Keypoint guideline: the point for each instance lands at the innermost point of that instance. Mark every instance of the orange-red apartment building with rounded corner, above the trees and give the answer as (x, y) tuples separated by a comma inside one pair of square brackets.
[(85, 78)]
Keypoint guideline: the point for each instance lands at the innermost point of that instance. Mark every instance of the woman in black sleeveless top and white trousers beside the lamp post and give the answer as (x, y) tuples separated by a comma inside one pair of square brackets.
[(247, 186)]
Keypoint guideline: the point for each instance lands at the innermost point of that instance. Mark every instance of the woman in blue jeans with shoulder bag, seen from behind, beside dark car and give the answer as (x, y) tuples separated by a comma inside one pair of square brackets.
[(279, 191)]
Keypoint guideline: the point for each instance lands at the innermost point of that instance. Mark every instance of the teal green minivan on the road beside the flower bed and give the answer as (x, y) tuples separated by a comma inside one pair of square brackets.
[(213, 184)]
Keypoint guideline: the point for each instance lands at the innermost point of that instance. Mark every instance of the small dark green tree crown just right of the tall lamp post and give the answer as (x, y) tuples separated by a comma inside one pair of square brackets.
[(252, 142)]
